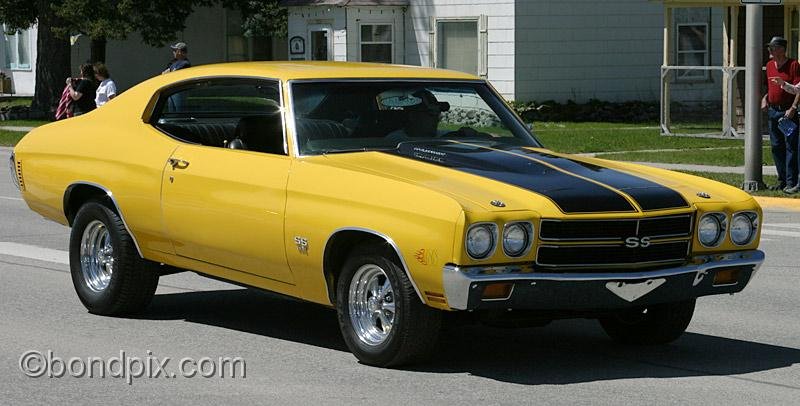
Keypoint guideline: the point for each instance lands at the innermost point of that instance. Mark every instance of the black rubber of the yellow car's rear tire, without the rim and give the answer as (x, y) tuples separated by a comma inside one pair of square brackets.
[(133, 281)]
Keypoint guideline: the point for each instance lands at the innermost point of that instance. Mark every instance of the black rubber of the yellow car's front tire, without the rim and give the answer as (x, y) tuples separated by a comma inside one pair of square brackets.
[(415, 329)]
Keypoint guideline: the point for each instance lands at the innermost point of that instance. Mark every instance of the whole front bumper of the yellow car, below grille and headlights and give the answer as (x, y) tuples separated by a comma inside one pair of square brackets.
[(703, 275)]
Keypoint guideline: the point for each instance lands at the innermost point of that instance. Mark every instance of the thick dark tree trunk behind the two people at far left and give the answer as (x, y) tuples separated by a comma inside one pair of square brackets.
[(52, 62)]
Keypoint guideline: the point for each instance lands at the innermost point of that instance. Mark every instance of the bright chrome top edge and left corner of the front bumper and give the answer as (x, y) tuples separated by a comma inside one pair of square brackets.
[(458, 281)]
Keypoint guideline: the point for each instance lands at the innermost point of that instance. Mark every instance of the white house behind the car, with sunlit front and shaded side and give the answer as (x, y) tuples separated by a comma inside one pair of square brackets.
[(559, 50)]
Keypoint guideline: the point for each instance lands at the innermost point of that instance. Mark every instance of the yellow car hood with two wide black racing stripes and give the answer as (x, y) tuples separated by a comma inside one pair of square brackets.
[(523, 178)]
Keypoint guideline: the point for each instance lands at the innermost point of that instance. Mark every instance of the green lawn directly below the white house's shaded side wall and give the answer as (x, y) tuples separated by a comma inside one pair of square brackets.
[(605, 137)]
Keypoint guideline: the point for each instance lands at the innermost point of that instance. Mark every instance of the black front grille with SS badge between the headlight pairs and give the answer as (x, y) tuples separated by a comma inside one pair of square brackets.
[(597, 244)]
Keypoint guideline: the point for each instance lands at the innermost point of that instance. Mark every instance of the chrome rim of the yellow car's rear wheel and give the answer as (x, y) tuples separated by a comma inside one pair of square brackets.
[(97, 256)]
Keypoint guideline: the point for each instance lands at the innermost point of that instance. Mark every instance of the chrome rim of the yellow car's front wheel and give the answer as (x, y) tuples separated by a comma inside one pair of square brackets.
[(372, 304)]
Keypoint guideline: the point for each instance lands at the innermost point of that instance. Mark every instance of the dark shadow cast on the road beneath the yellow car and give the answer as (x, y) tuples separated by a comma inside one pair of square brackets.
[(568, 351)]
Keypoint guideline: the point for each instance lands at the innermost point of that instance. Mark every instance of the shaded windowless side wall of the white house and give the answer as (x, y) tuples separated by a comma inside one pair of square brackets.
[(583, 49)]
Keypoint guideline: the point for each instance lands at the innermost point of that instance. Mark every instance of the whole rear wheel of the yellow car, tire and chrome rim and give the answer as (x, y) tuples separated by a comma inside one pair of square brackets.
[(108, 275)]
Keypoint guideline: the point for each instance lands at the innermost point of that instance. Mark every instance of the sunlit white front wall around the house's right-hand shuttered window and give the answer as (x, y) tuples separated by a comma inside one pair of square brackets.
[(500, 27)]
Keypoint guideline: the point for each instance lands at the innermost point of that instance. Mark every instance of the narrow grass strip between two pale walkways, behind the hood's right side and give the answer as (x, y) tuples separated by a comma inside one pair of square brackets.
[(721, 157)]
